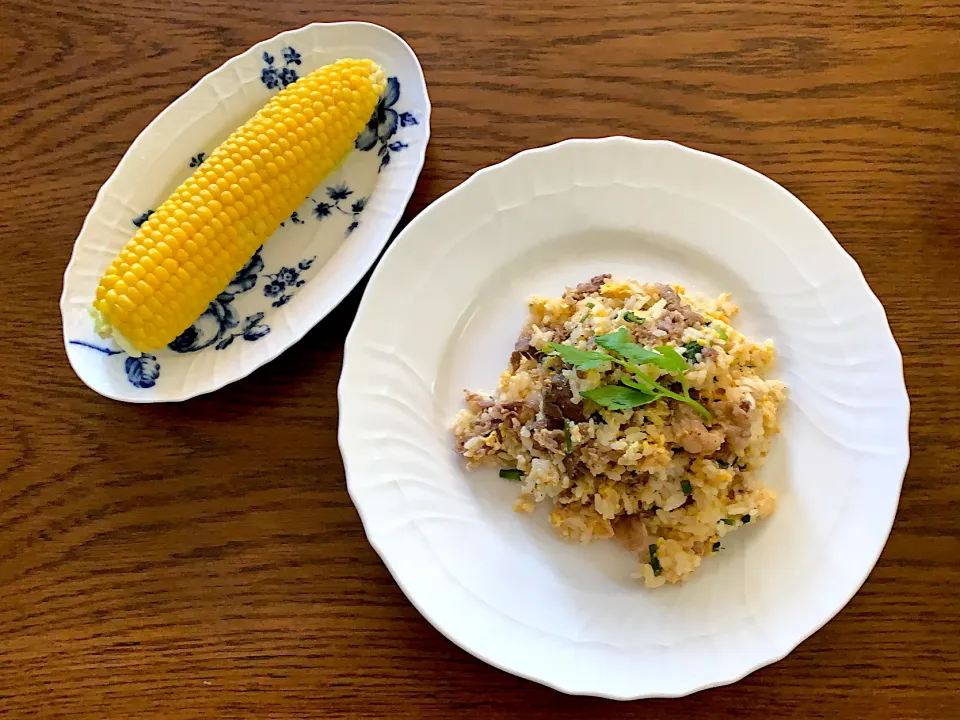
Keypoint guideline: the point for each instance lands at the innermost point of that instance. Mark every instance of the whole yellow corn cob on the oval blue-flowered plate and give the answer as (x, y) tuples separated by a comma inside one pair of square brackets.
[(187, 252)]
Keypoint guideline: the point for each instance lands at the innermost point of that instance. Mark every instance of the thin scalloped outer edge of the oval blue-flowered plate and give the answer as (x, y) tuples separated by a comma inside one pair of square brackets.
[(142, 137)]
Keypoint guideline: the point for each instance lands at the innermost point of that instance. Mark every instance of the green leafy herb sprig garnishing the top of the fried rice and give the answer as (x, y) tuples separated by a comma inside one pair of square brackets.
[(637, 388)]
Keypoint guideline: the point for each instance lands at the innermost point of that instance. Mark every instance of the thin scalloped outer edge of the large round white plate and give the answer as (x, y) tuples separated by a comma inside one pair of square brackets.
[(352, 341)]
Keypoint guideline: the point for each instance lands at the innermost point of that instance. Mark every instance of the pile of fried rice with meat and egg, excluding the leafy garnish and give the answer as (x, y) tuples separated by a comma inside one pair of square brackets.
[(662, 479)]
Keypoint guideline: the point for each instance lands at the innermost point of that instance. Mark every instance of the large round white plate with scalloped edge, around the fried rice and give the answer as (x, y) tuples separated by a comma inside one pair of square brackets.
[(441, 314)]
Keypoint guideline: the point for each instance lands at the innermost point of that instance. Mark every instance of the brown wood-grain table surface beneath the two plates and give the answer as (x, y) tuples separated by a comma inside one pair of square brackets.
[(204, 559)]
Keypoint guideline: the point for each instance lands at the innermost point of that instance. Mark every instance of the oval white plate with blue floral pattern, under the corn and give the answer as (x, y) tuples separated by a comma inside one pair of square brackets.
[(305, 269)]
